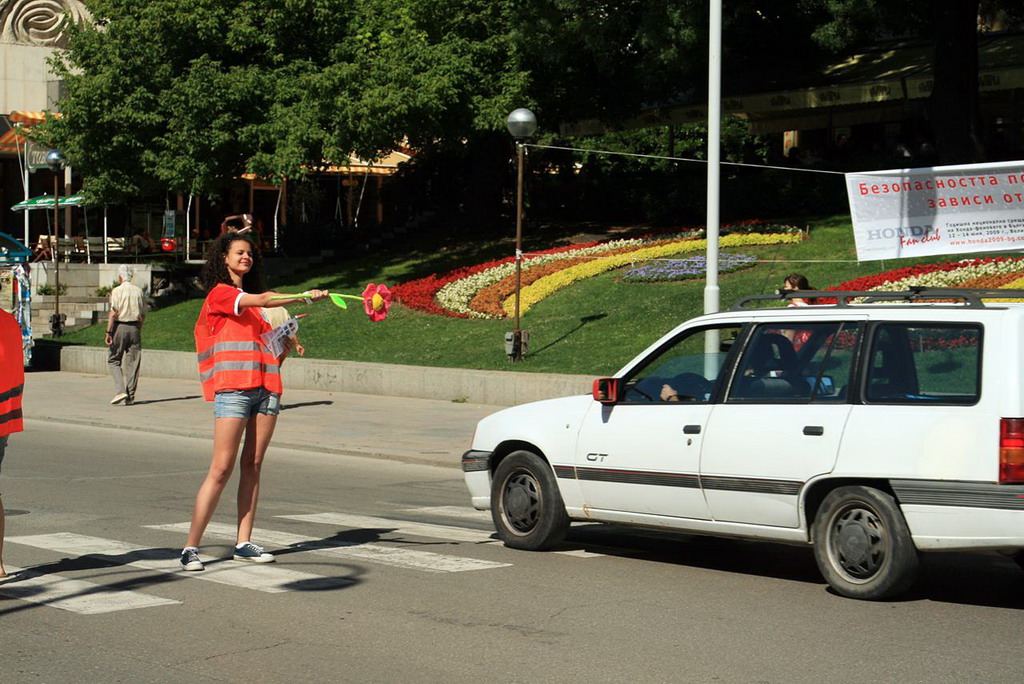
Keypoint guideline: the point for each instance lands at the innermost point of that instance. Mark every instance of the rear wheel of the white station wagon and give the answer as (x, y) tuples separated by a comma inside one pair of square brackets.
[(863, 544)]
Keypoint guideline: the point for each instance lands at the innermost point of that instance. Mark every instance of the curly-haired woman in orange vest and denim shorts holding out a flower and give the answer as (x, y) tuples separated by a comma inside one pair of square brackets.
[(242, 378)]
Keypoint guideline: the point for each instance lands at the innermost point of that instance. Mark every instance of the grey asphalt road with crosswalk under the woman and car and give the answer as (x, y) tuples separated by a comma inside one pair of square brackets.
[(386, 575)]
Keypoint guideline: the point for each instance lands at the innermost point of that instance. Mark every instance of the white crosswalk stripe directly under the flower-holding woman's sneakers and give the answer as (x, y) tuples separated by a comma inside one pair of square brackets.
[(264, 579)]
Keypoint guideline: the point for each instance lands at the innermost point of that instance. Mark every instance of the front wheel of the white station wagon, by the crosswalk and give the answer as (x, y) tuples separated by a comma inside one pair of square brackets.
[(526, 504)]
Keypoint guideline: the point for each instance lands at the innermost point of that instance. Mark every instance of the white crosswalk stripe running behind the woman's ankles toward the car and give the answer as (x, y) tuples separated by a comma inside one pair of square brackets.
[(378, 553)]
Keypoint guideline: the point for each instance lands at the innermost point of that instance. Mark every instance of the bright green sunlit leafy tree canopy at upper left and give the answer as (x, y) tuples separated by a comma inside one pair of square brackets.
[(185, 95)]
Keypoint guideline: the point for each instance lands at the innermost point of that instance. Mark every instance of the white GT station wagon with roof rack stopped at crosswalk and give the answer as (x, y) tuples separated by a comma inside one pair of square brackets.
[(876, 427)]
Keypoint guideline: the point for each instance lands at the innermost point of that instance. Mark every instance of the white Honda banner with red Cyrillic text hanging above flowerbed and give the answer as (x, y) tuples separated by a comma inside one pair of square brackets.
[(938, 210)]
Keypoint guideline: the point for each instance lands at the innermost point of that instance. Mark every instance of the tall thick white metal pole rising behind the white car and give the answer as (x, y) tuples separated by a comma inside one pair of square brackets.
[(714, 152)]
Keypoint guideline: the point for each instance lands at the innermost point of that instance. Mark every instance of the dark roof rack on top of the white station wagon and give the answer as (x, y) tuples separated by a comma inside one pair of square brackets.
[(970, 297)]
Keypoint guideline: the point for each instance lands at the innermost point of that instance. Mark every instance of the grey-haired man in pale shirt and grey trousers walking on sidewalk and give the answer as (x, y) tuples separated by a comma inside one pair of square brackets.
[(124, 336)]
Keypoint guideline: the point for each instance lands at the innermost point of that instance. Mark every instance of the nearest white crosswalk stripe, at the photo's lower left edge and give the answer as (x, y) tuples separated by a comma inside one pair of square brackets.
[(75, 595)]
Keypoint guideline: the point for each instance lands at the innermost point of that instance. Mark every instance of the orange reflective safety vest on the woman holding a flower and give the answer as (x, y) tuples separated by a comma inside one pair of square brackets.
[(234, 357)]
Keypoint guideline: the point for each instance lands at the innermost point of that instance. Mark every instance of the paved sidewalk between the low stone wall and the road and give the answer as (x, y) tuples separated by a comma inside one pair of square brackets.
[(425, 432)]
